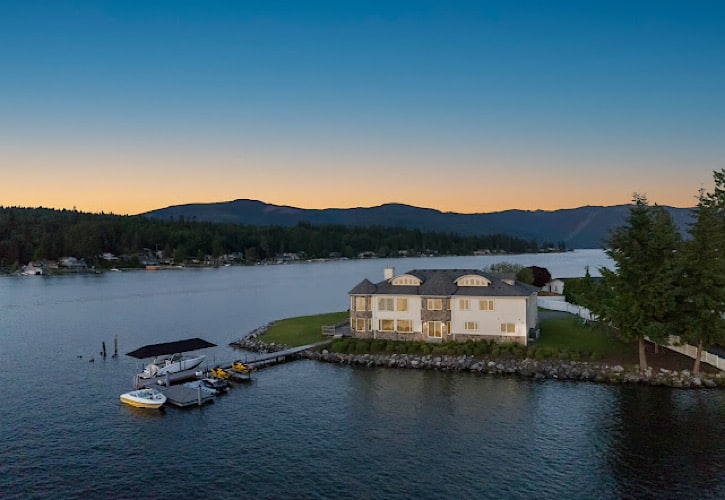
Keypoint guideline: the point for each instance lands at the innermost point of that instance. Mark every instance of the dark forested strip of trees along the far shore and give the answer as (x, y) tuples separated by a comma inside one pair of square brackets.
[(32, 234)]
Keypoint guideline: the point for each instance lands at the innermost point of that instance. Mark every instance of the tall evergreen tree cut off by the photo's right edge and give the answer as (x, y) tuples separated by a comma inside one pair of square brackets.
[(701, 297)]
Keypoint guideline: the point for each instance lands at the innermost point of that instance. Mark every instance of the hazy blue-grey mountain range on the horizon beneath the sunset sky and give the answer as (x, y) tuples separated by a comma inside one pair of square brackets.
[(583, 227)]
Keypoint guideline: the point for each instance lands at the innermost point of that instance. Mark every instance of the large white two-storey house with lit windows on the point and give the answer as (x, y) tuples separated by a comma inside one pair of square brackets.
[(443, 304)]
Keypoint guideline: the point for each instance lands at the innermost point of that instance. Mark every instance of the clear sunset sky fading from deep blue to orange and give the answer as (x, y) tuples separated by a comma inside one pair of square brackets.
[(128, 106)]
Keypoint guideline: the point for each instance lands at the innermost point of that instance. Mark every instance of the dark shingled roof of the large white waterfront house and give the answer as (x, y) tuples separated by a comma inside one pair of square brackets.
[(442, 283)]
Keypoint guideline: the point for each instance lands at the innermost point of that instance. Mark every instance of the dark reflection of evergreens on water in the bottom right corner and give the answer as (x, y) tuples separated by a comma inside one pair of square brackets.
[(670, 443)]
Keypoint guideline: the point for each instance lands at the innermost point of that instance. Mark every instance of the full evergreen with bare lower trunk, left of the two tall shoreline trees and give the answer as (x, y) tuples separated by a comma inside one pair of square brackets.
[(641, 298)]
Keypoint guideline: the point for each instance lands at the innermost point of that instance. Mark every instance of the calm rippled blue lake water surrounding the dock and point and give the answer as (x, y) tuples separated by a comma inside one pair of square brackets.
[(311, 430)]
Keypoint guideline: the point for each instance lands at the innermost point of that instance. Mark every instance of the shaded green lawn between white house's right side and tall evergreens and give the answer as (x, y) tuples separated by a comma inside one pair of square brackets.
[(568, 334)]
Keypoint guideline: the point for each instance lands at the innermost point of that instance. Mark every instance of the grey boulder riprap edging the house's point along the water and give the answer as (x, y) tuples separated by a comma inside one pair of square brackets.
[(546, 369)]
